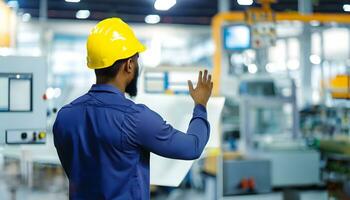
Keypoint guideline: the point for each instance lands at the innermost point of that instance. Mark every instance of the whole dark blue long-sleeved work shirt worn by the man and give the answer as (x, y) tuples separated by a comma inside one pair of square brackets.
[(104, 142)]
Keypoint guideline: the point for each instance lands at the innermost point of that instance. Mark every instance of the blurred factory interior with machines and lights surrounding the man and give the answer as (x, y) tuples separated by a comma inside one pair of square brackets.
[(281, 66)]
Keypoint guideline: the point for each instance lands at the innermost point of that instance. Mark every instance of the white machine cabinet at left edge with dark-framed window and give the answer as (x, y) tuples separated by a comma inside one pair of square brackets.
[(22, 107)]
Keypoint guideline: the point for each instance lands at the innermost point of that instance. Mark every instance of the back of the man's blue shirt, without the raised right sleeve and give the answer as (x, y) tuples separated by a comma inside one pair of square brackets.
[(89, 139)]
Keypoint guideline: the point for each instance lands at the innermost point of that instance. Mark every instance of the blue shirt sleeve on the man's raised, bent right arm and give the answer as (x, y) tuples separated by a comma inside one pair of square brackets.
[(148, 130)]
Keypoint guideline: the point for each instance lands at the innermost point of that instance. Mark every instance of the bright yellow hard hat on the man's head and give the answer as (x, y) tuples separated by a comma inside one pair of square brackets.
[(111, 40)]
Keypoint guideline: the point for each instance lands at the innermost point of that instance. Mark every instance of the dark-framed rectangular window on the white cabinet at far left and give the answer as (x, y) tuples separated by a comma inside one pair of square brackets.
[(15, 92)]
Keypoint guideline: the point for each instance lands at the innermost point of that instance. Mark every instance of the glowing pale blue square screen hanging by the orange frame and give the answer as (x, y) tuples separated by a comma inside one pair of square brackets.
[(236, 37)]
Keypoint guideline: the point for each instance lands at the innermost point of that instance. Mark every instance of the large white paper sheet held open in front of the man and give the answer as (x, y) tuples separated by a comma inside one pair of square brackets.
[(177, 110)]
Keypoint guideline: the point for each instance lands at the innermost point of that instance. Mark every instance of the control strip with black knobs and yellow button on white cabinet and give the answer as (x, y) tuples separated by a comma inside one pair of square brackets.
[(25, 137)]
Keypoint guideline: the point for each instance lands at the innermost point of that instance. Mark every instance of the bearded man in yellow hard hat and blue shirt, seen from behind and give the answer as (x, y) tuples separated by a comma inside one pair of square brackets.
[(104, 140)]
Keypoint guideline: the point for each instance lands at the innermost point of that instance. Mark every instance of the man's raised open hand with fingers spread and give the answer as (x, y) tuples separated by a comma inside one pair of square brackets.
[(202, 92)]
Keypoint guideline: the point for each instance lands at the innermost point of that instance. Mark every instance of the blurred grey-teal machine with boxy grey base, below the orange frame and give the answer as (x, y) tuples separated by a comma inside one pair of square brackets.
[(270, 130)]
